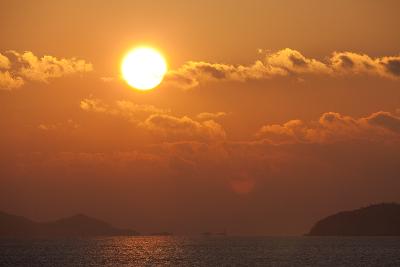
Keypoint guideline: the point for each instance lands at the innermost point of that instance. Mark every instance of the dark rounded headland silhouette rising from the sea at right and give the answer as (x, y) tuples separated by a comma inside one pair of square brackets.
[(375, 220)]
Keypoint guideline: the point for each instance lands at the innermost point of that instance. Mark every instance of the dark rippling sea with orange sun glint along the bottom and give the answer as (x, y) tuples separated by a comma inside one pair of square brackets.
[(202, 251)]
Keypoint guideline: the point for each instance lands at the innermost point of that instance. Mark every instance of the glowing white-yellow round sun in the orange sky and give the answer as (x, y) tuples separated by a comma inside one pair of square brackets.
[(143, 68)]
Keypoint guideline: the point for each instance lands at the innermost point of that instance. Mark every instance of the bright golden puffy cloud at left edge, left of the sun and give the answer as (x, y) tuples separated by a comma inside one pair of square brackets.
[(25, 66)]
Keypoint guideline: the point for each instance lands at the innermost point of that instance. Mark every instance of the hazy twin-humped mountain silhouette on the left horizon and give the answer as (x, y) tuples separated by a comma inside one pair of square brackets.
[(75, 226)]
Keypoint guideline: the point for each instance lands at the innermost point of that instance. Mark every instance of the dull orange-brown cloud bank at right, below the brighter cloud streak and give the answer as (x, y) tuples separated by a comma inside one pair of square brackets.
[(334, 127)]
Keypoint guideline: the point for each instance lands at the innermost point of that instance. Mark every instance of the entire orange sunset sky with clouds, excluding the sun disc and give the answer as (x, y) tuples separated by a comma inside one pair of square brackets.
[(272, 114)]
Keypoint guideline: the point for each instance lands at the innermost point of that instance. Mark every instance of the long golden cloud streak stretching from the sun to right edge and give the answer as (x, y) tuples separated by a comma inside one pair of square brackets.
[(285, 62)]
